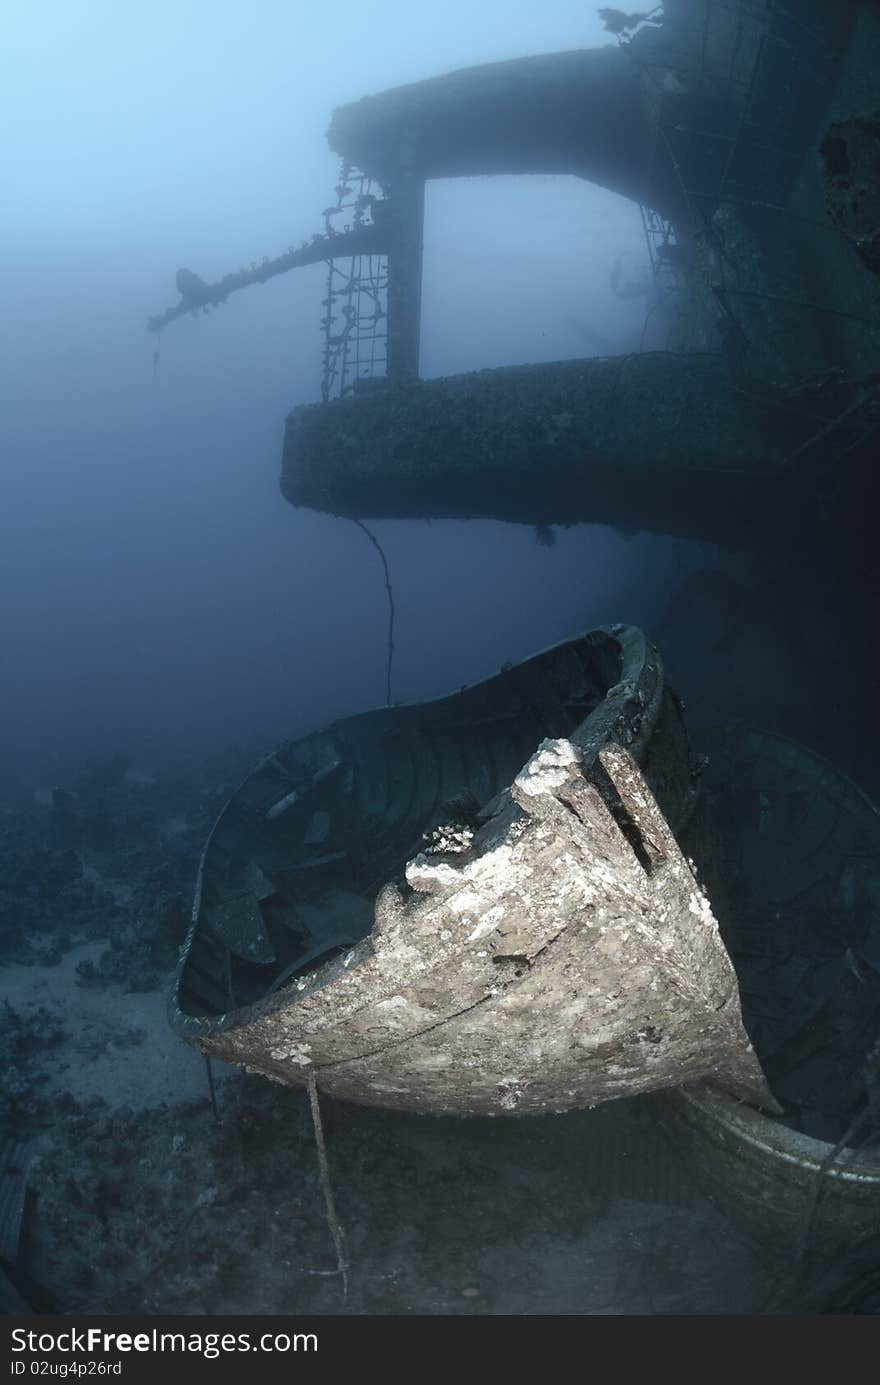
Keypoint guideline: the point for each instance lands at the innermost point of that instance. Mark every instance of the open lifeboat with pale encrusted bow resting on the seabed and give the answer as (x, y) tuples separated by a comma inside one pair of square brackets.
[(473, 905)]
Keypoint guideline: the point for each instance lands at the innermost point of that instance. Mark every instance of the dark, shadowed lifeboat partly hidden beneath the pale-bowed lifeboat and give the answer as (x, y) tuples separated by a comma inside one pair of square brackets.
[(802, 839)]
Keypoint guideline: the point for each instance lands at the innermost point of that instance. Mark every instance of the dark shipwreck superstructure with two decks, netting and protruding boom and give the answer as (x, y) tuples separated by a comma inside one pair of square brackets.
[(745, 135)]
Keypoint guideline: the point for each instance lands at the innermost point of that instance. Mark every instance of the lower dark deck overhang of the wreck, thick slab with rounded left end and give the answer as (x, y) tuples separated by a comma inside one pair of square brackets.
[(653, 443)]
